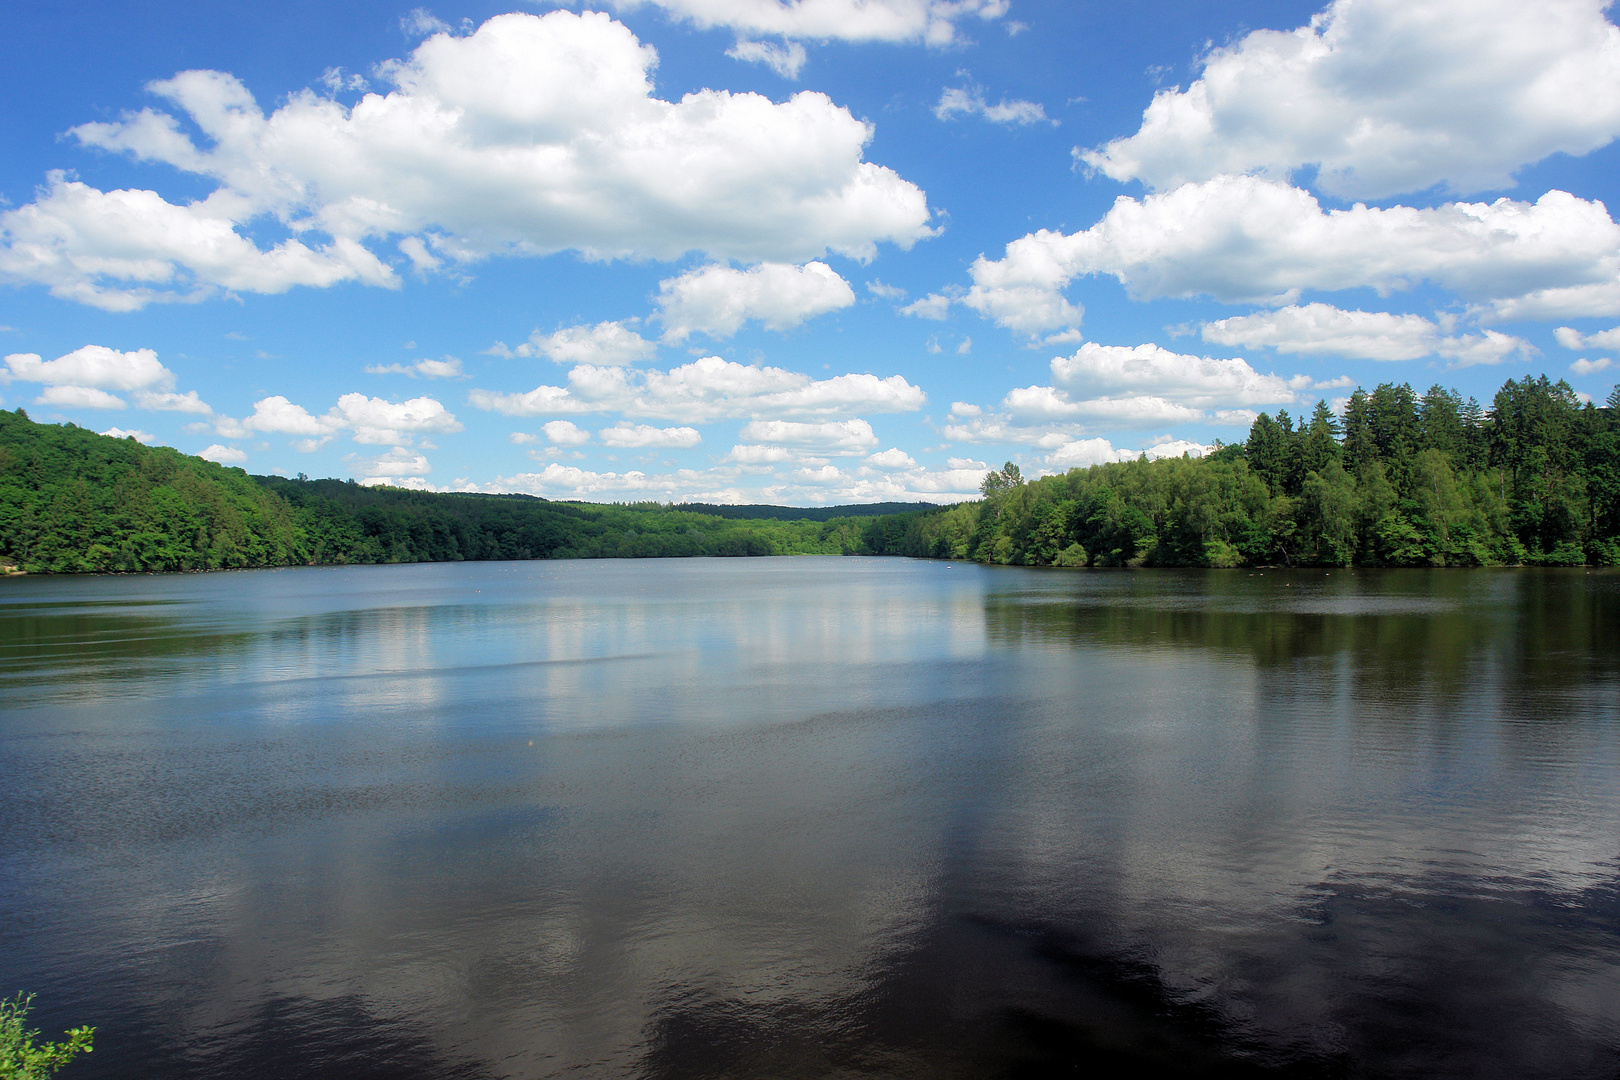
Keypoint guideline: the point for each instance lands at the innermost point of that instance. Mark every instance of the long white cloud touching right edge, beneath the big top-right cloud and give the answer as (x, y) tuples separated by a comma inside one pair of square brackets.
[(1250, 240)]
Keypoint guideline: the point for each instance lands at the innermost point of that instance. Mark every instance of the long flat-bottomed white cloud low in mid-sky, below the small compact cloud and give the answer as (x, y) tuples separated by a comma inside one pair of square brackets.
[(707, 389)]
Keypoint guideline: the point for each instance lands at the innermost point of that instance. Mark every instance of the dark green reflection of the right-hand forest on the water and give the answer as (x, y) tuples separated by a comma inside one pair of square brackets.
[(1545, 634)]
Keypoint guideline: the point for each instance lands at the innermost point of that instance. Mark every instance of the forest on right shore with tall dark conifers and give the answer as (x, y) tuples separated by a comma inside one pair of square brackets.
[(1399, 482)]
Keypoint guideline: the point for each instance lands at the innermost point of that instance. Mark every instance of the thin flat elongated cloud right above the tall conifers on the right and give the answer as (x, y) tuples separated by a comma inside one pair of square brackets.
[(1328, 331)]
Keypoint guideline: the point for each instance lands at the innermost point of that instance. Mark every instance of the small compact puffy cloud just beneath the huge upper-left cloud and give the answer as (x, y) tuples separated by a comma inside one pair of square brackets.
[(717, 300)]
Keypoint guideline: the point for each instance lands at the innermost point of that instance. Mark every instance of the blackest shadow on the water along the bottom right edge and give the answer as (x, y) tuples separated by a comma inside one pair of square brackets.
[(978, 997)]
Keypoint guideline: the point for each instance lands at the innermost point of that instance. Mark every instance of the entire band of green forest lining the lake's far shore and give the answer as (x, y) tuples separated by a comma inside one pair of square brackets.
[(1397, 480)]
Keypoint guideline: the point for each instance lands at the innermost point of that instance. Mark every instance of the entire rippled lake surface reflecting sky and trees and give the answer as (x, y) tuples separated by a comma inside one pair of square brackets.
[(816, 819)]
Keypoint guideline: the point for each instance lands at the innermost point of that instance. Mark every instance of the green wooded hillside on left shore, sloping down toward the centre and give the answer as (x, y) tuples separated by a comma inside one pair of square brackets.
[(79, 503)]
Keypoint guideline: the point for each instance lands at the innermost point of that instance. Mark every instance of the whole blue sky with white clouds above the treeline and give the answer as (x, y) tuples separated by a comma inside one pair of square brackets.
[(801, 253)]
